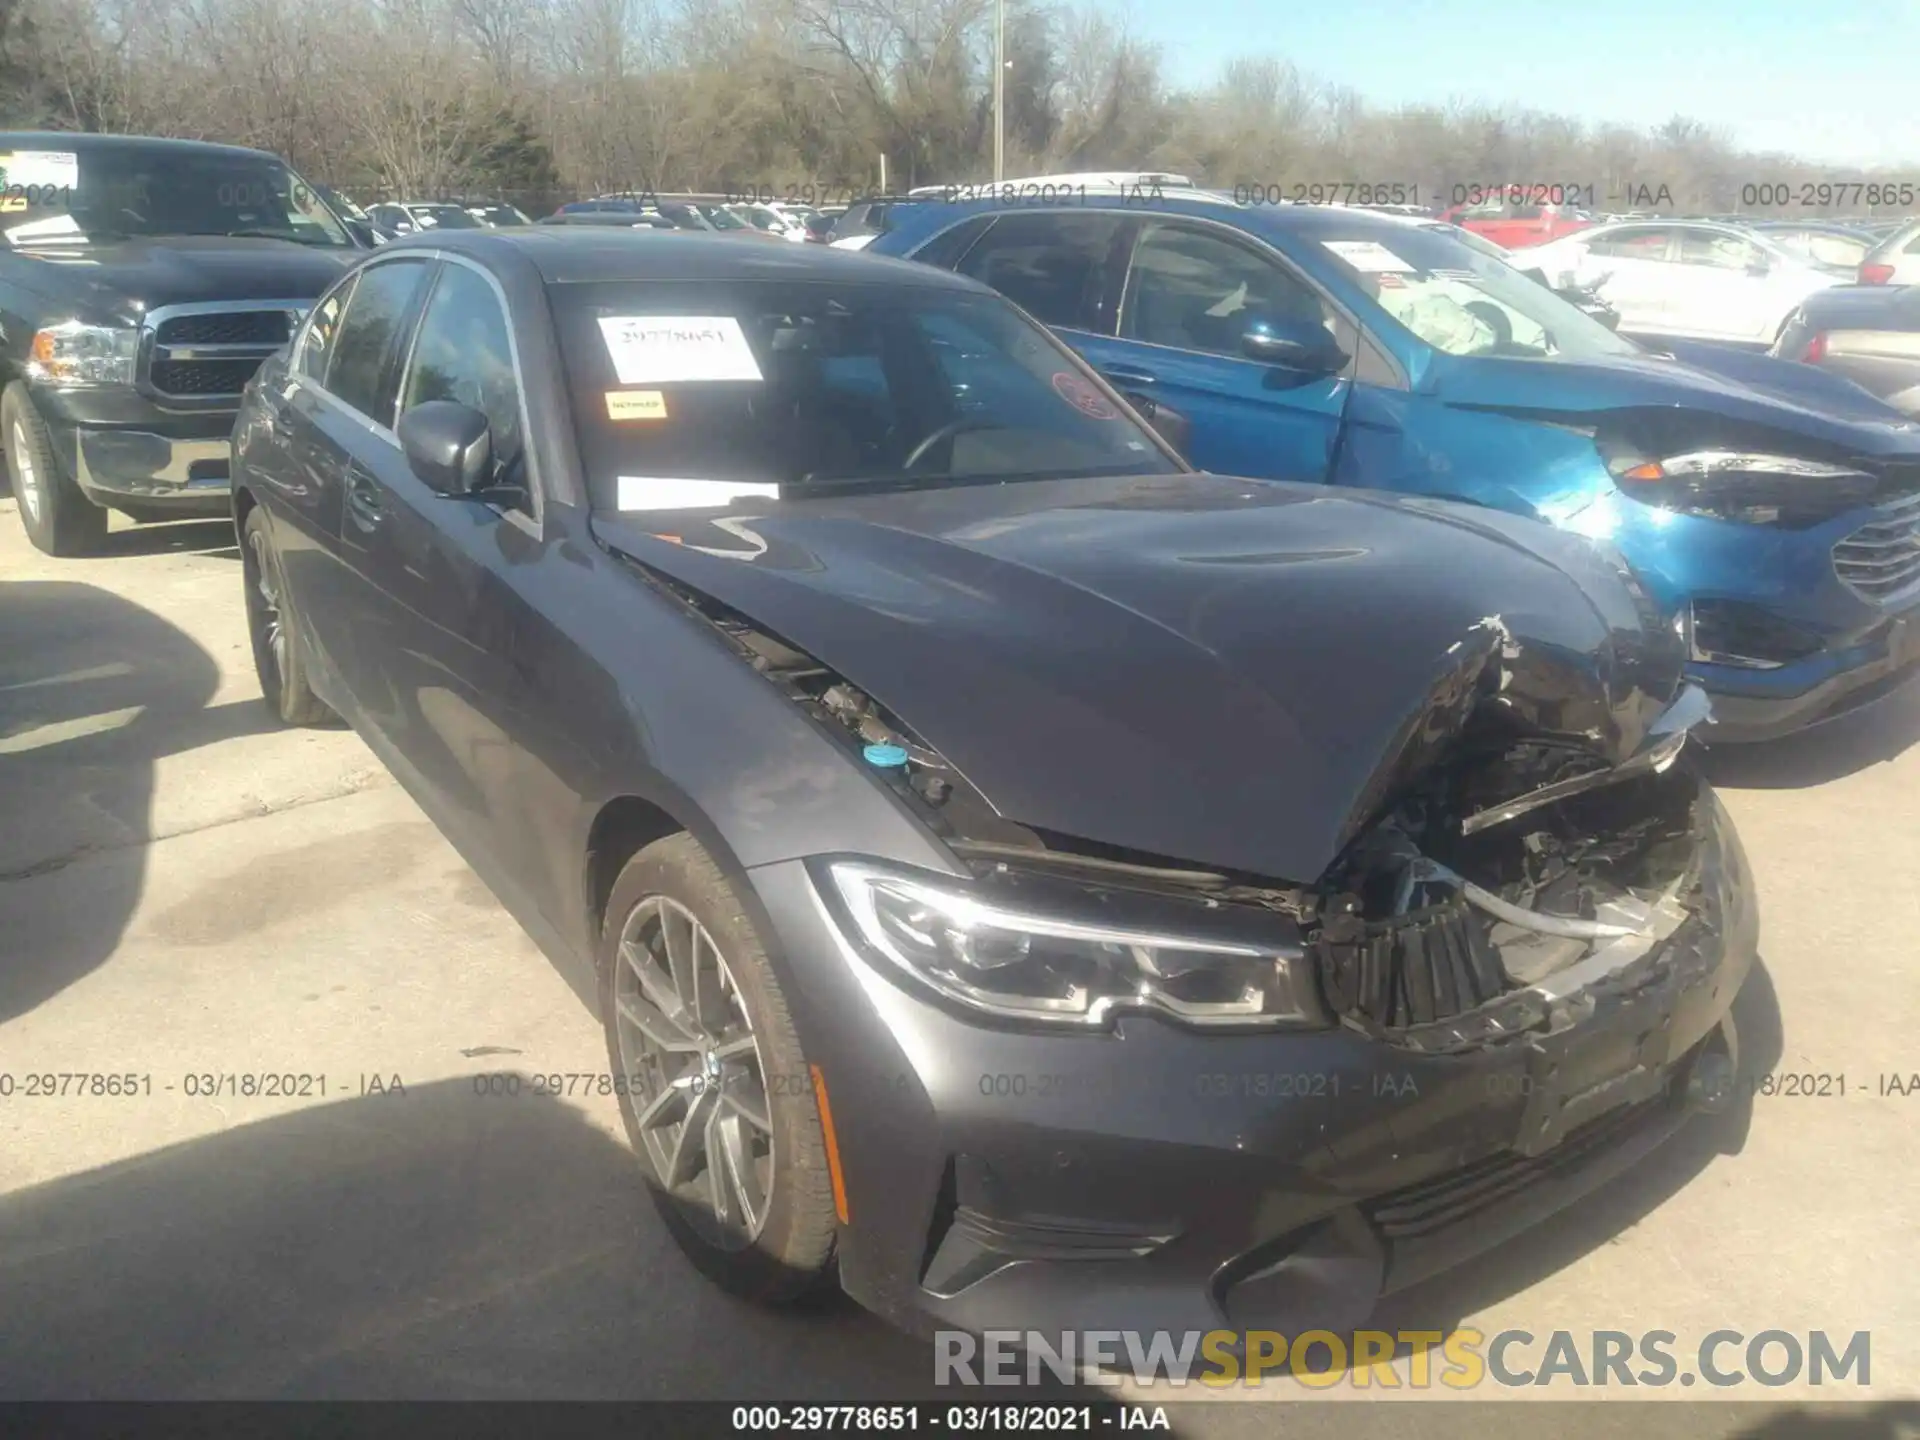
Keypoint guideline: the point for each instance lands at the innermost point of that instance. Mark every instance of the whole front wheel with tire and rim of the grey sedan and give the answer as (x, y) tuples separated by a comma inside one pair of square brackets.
[(784, 1253)]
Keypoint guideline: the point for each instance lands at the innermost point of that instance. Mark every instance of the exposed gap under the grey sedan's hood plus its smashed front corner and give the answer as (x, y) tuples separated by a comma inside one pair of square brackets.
[(1500, 894)]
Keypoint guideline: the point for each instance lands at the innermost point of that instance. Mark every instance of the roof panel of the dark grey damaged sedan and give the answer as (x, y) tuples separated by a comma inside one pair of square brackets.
[(587, 254)]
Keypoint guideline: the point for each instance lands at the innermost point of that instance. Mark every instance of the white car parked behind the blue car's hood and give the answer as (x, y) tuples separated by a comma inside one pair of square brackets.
[(1687, 279)]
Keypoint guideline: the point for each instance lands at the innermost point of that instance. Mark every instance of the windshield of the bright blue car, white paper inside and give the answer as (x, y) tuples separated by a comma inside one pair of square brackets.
[(1468, 304)]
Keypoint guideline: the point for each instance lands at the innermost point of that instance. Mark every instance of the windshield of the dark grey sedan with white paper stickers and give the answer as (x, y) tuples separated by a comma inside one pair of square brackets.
[(823, 389)]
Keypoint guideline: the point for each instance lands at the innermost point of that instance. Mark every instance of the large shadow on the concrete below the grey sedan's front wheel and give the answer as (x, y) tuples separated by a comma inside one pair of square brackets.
[(431, 1245)]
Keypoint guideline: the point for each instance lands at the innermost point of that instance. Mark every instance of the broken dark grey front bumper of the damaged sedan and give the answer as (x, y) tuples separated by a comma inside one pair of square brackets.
[(1166, 1180)]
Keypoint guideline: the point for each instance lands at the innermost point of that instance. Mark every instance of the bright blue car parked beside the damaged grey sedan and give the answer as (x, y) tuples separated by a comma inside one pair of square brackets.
[(1773, 510)]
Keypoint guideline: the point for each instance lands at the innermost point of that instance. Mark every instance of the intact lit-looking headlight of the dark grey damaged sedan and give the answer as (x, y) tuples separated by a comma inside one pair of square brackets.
[(1072, 972)]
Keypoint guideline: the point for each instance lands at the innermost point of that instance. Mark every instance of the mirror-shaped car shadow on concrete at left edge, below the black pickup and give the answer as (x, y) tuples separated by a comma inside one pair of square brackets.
[(95, 690)]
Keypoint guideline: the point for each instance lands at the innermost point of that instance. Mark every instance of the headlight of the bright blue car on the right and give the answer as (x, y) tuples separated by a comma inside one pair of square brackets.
[(1756, 489)]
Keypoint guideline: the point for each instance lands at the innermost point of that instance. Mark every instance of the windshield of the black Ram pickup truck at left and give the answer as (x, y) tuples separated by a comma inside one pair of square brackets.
[(135, 191)]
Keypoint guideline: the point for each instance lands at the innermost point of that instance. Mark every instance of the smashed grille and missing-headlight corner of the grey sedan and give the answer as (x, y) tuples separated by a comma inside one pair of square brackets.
[(1514, 888)]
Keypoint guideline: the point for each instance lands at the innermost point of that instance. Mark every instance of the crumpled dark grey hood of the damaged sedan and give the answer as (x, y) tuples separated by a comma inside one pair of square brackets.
[(1212, 671)]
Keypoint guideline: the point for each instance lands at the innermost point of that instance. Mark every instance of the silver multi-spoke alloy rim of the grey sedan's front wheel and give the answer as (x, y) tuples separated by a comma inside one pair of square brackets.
[(696, 1078)]
